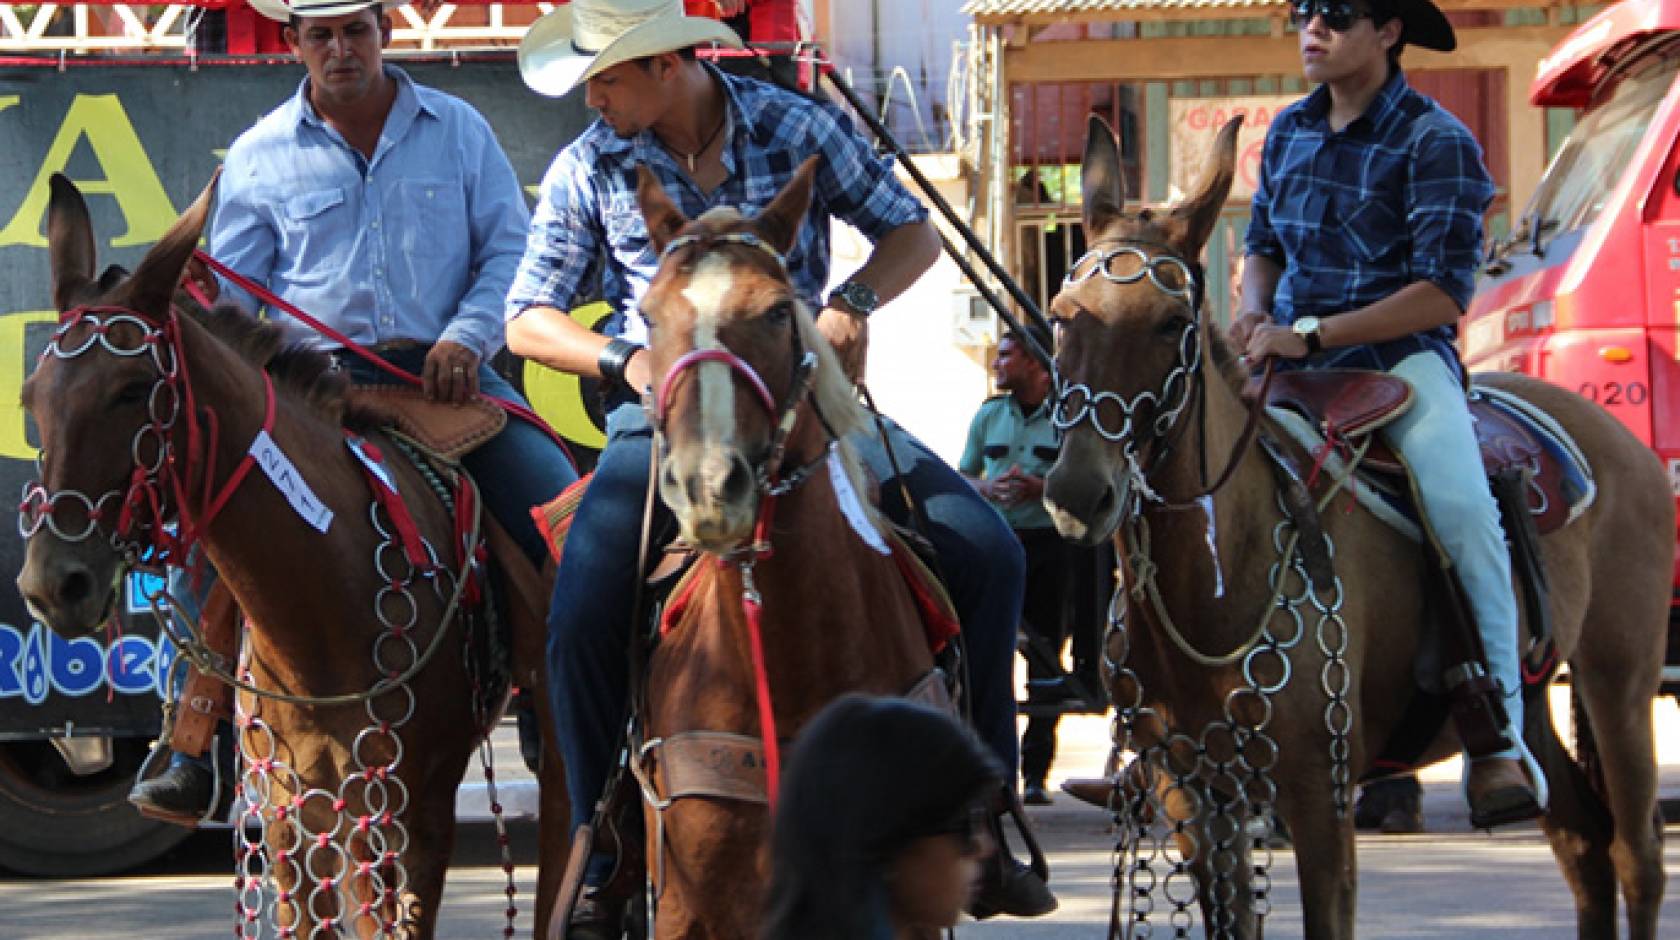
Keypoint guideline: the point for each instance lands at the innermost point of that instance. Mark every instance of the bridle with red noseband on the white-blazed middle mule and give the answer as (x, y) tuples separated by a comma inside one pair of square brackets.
[(784, 415)]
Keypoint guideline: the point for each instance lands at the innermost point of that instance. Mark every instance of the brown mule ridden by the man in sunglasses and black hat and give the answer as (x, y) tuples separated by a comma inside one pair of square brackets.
[(1165, 399)]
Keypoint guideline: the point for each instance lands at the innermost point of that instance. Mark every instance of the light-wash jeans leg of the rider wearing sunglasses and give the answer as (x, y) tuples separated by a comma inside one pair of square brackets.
[(1439, 444)]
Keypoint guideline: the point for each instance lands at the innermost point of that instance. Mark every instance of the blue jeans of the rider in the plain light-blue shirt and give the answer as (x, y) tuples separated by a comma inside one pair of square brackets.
[(518, 469)]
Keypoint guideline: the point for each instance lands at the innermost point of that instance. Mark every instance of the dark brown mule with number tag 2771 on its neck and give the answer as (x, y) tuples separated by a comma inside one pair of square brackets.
[(308, 585)]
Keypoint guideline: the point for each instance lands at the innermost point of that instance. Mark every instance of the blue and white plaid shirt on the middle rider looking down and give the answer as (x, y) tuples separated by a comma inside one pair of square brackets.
[(587, 221)]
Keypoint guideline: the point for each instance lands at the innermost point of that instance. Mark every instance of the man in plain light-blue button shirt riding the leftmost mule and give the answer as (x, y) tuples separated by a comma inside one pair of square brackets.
[(389, 212)]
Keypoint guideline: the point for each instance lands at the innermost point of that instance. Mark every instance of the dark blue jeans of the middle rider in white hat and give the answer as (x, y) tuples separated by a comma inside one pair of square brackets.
[(589, 624)]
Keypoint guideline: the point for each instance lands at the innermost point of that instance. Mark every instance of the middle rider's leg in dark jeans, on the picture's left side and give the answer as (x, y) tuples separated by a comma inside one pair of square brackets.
[(589, 624)]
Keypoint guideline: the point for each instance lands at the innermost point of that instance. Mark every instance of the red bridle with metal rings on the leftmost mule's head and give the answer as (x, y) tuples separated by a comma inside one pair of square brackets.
[(135, 516)]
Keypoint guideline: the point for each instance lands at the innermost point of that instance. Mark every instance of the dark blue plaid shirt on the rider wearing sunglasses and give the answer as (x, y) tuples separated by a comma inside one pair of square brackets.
[(1358, 214)]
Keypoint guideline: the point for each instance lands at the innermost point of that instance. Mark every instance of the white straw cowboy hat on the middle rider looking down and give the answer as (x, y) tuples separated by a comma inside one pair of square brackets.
[(585, 38)]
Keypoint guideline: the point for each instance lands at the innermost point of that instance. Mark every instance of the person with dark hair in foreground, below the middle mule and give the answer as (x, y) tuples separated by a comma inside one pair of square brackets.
[(883, 825)]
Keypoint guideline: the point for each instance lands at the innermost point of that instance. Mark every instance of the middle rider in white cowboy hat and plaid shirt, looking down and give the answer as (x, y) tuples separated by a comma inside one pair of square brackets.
[(717, 140)]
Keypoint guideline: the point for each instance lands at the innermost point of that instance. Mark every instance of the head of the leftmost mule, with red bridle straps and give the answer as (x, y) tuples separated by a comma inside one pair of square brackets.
[(93, 395)]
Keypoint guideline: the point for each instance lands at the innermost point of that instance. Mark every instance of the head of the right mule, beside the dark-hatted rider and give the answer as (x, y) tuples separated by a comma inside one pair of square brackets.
[(1130, 337)]
